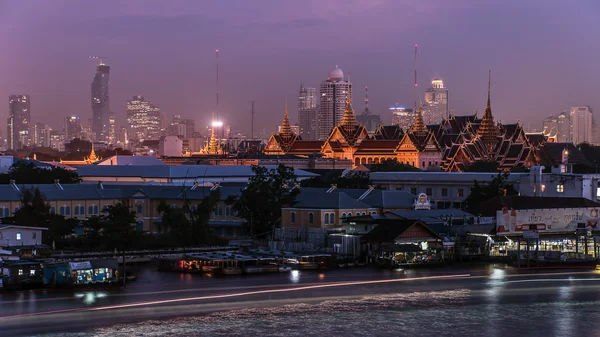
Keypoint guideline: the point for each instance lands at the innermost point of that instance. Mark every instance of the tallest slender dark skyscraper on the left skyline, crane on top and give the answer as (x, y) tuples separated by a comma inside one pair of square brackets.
[(100, 103)]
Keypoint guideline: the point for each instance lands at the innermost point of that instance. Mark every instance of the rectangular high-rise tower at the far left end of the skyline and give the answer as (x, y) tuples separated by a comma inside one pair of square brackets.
[(19, 120)]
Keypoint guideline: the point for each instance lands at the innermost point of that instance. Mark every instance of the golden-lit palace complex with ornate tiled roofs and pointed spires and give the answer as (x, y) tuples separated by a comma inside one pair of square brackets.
[(453, 145)]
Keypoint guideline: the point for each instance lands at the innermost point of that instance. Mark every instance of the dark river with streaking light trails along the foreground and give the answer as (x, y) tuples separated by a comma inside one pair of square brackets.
[(490, 300)]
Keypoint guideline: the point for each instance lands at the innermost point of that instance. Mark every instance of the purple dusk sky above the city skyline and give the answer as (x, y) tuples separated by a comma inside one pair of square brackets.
[(543, 54)]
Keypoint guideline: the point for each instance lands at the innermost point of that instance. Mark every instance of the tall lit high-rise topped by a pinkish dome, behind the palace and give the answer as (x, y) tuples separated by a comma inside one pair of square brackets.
[(334, 92)]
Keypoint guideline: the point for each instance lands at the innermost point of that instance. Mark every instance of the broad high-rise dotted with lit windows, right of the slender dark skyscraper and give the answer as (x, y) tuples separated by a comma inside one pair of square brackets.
[(143, 118)]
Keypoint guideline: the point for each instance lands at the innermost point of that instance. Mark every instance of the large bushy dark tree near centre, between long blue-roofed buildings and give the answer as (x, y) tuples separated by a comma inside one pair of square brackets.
[(261, 201)]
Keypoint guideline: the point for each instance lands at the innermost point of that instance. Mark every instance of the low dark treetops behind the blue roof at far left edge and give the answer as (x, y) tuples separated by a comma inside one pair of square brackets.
[(29, 174)]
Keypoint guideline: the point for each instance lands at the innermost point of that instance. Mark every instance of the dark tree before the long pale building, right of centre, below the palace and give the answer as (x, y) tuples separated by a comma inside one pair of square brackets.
[(483, 192)]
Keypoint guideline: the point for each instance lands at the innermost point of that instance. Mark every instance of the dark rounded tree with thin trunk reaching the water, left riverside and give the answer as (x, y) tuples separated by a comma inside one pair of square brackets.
[(119, 229)]
